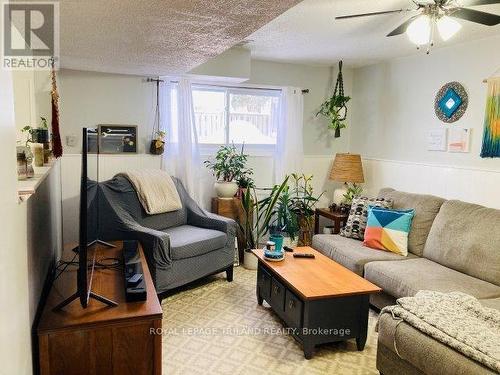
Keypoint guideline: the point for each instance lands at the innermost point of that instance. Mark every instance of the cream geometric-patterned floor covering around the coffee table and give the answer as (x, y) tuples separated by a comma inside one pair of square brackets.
[(217, 327)]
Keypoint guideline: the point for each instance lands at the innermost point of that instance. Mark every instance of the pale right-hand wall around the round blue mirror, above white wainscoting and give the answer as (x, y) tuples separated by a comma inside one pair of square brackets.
[(394, 103)]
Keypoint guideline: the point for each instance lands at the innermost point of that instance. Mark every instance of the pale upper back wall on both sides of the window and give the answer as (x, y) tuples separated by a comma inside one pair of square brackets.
[(89, 99)]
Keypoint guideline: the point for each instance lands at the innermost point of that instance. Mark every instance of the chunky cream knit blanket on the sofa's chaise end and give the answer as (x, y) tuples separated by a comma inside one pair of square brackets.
[(455, 319)]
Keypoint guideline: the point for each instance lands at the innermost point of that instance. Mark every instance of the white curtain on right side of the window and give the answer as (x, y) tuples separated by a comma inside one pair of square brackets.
[(290, 149)]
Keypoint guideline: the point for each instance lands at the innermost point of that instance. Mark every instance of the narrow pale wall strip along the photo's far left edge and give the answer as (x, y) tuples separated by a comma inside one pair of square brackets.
[(15, 347)]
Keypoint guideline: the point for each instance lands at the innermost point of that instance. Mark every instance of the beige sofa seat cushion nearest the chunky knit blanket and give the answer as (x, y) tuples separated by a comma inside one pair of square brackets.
[(402, 279)]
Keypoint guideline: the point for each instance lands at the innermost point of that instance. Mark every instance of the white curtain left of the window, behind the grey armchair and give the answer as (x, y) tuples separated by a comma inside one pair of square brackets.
[(182, 155)]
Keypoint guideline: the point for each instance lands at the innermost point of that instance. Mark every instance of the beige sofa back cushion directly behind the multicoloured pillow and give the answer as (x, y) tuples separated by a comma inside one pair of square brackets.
[(426, 208)]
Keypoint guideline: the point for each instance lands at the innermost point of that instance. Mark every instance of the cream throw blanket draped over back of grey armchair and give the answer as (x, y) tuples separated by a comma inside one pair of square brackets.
[(155, 189)]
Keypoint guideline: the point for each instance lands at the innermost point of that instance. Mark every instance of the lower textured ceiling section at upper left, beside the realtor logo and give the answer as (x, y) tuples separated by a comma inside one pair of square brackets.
[(157, 37)]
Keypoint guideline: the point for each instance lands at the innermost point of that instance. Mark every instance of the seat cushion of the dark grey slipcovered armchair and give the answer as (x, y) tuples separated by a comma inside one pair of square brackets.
[(187, 241)]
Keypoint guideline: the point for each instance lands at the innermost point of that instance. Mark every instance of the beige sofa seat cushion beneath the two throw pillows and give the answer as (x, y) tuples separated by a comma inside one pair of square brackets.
[(351, 253)]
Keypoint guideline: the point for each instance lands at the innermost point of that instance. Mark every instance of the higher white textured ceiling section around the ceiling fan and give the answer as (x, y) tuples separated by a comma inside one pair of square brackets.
[(308, 33)]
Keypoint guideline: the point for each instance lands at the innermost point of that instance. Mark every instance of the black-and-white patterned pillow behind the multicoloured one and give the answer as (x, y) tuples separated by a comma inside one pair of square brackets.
[(356, 223)]
